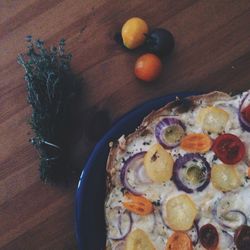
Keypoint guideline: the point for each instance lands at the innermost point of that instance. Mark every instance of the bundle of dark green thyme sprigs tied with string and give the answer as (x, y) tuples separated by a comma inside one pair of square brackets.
[(51, 86)]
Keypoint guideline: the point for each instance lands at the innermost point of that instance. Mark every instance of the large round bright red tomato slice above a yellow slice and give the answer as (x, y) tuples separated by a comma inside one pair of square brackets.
[(229, 148)]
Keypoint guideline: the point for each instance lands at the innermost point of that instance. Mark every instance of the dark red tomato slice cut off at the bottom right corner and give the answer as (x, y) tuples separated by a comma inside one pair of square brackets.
[(242, 237)]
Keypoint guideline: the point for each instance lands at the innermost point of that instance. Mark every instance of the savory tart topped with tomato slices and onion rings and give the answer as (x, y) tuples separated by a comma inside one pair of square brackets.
[(181, 181)]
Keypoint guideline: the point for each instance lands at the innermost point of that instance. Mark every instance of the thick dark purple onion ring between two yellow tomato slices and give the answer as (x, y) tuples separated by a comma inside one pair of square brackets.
[(182, 168)]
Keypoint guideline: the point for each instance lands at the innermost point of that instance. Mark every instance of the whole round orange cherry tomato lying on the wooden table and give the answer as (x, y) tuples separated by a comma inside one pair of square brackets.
[(148, 67)]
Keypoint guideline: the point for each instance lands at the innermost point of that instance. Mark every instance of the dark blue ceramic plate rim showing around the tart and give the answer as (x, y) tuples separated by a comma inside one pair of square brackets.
[(90, 194)]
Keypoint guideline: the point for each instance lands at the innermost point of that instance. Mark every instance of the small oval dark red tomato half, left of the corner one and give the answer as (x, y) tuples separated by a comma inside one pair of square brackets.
[(209, 236)]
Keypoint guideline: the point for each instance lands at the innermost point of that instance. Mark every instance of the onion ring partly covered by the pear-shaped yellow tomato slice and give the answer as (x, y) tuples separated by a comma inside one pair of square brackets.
[(134, 169)]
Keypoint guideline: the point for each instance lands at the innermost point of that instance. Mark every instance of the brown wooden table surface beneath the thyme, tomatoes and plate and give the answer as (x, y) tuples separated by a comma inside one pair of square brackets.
[(212, 52)]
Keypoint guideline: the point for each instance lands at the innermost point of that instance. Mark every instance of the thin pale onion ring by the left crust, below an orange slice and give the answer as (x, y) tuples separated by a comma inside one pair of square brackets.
[(120, 223)]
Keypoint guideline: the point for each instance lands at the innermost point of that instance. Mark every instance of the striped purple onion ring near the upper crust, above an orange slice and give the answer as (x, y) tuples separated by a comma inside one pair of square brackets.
[(163, 125)]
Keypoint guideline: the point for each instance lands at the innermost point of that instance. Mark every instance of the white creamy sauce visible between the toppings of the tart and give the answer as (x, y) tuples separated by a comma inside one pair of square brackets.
[(205, 200)]
